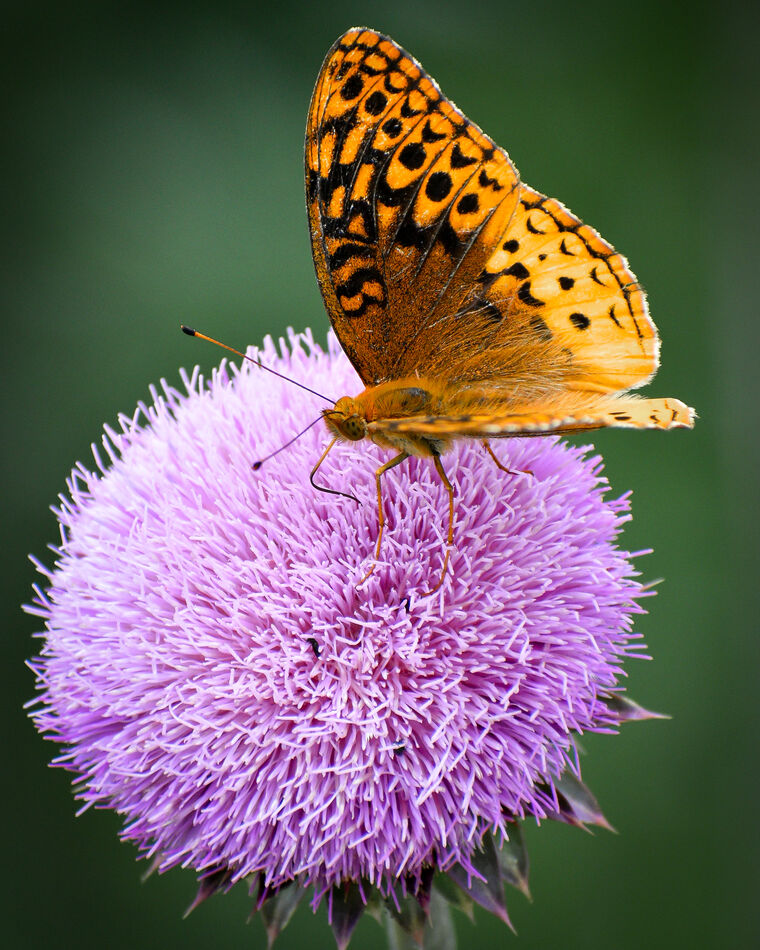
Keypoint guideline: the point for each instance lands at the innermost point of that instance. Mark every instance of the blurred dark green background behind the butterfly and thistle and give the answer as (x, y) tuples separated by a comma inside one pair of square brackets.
[(153, 154)]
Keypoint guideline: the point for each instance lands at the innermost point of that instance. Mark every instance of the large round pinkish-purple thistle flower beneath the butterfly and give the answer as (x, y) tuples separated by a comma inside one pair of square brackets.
[(217, 674)]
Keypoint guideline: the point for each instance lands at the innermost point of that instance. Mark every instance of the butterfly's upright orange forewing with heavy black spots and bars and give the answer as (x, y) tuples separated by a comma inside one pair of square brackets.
[(407, 200)]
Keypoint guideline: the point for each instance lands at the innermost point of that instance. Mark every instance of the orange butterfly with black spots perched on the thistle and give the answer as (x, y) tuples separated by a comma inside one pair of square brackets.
[(470, 305)]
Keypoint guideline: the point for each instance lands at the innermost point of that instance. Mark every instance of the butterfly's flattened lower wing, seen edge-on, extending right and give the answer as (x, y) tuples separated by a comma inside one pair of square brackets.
[(573, 411)]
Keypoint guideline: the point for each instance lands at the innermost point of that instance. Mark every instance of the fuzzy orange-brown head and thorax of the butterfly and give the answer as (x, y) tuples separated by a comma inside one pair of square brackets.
[(363, 416)]
